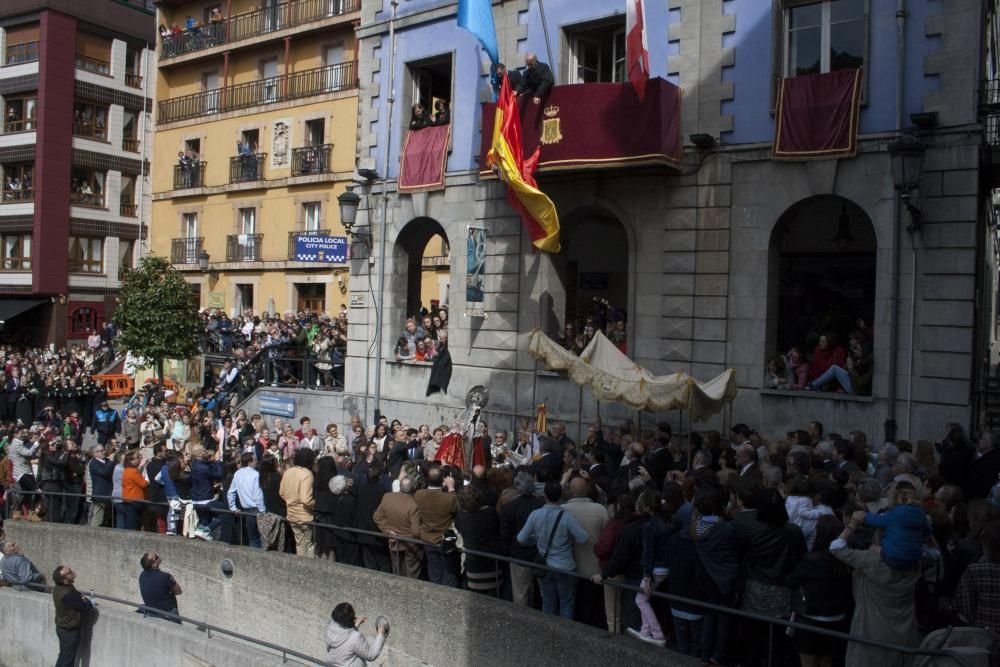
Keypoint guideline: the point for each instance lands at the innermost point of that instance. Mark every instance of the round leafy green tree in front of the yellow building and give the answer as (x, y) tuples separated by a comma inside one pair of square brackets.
[(156, 318)]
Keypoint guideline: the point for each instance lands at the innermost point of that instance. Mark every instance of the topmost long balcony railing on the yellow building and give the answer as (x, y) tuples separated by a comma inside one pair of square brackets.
[(254, 23)]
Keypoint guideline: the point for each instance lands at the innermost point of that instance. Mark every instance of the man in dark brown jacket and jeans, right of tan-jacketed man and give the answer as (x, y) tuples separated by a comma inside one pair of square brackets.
[(438, 505)]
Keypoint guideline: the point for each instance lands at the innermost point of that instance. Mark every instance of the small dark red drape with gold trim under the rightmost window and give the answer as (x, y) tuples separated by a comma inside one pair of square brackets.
[(818, 116)]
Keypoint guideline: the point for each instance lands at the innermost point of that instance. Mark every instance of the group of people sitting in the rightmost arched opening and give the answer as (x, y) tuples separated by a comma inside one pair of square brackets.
[(830, 367)]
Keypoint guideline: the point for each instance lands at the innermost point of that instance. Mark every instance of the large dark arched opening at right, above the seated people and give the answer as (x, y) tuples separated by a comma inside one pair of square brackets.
[(822, 262)]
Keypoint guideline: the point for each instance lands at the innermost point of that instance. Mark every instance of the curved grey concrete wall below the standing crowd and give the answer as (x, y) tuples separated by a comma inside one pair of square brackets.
[(287, 600)]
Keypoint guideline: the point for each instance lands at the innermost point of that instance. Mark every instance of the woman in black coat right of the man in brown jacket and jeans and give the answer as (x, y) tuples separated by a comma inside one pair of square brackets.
[(479, 526)]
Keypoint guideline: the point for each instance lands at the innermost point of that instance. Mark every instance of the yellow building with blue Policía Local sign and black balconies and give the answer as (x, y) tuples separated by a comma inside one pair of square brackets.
[(256, 124)]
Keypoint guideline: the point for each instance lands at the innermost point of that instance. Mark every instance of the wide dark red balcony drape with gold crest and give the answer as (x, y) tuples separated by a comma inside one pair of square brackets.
[(597, 126)]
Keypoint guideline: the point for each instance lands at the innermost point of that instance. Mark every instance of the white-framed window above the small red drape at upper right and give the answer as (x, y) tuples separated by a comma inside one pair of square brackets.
[(817, 37)]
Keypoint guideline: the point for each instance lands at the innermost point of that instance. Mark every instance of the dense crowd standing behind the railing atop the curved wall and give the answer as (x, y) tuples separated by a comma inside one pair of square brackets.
[(820, 528)]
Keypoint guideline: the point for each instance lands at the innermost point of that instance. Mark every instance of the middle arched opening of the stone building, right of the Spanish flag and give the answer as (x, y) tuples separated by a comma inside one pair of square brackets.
[(593, 269)]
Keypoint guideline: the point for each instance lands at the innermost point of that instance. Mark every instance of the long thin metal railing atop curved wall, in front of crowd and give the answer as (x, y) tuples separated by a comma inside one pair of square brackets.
[(779, 624)]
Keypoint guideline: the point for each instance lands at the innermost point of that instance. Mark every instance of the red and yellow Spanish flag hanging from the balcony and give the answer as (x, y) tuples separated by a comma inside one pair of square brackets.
[(537, 211)]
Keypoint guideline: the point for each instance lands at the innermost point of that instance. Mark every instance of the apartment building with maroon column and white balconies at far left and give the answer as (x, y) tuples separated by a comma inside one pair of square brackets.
[(73, 161)]
